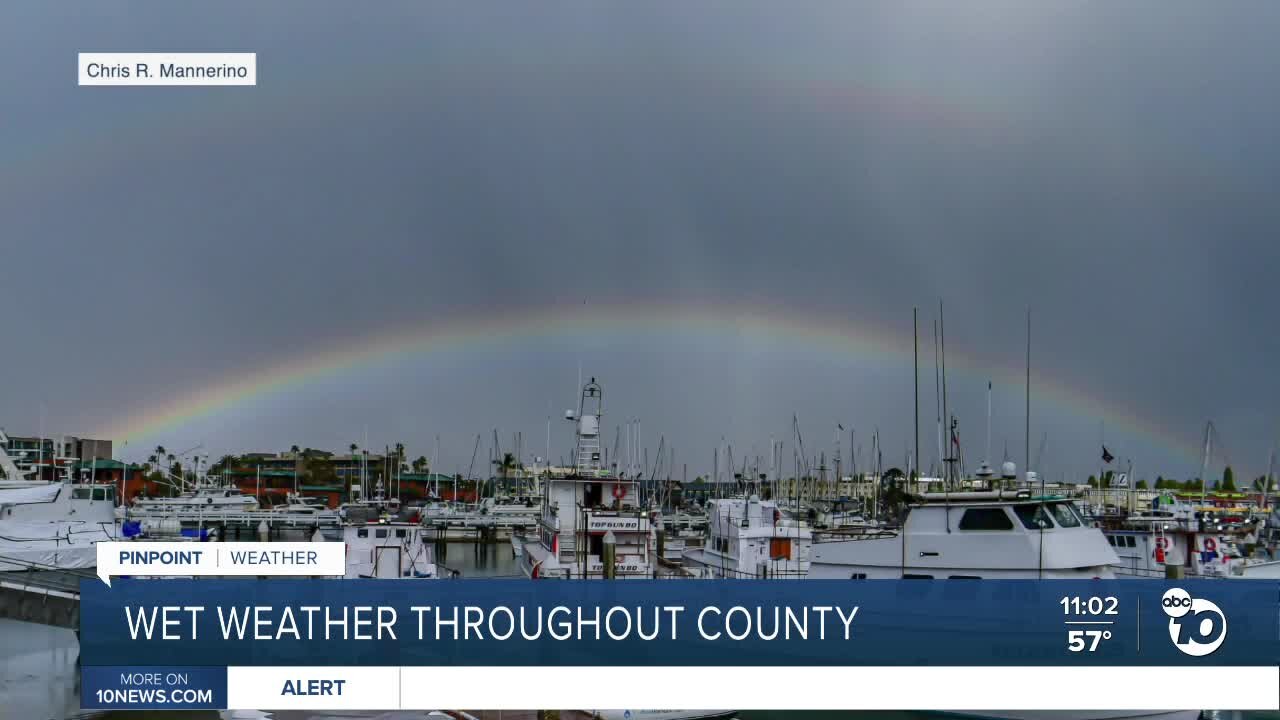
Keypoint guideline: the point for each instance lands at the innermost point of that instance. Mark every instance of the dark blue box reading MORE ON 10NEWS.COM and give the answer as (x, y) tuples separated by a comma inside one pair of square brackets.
[(153, 689)]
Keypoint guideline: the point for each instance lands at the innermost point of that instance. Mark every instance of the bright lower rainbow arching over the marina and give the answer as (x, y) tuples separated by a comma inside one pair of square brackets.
[(771, 323)]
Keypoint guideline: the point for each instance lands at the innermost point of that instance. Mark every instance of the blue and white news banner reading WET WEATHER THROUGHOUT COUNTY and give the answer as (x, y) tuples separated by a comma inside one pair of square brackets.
[(282, 644)]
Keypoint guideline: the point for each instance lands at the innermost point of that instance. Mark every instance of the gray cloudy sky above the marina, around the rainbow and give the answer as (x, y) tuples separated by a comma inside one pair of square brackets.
[(1113, 166)]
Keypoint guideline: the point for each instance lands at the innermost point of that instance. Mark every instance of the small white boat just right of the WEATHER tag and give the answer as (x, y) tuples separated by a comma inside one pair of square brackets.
[(390, 552)]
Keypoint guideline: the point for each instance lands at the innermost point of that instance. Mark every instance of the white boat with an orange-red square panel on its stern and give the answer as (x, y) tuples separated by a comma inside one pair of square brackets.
[(751, 539)]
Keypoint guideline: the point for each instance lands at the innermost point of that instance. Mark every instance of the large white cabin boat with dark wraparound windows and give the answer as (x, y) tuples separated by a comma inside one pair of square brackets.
[(975, 535)]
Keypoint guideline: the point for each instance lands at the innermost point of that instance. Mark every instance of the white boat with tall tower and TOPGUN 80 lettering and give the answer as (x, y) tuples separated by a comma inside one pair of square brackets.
[(586, 509)]
